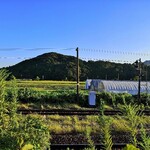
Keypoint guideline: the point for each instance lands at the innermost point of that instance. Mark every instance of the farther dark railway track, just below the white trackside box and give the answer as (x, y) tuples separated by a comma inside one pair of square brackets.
[(74, 112)]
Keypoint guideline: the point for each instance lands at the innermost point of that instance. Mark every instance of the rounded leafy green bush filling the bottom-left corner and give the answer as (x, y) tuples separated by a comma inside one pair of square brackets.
[(28, 130)]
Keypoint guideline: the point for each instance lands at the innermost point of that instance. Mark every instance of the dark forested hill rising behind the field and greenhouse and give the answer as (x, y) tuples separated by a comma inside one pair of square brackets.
[(54, 66)]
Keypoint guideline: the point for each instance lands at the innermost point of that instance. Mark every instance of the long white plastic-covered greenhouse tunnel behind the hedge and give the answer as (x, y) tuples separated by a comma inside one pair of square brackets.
[(118, 86)]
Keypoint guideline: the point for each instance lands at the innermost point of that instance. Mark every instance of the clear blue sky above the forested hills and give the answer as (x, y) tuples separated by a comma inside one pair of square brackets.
[(102, 29)]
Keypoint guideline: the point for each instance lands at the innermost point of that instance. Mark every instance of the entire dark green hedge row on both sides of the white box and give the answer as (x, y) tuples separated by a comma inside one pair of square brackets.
[(61, 97)]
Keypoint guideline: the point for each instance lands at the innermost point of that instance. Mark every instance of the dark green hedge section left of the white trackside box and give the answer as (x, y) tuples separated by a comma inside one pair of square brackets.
[(28, 95)]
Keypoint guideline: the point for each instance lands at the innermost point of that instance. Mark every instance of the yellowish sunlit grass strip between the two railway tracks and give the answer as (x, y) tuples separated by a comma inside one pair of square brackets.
[(77, 124)]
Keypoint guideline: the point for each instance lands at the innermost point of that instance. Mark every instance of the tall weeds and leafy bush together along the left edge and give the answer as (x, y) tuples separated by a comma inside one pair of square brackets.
[(16, 131)]
